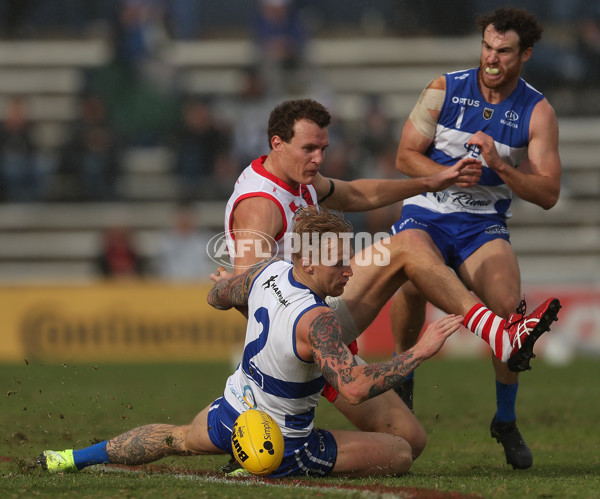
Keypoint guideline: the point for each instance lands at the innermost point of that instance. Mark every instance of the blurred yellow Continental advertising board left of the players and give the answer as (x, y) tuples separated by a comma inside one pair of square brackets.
[(120, 322)]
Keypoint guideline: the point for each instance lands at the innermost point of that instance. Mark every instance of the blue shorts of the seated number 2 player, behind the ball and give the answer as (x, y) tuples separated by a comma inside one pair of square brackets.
[(314, 455)]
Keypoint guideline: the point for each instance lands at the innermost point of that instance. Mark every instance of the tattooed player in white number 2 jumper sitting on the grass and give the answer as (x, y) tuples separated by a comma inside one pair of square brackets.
[(293, 344)]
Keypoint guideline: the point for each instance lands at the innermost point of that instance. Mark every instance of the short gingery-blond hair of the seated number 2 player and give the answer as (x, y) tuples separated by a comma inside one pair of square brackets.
[(317, 222)]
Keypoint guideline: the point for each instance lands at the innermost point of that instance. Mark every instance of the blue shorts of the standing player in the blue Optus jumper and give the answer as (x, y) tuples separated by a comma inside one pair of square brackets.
[(457, 235)]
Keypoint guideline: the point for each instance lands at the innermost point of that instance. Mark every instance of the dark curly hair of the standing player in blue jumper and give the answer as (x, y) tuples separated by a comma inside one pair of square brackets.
[(522, 22)]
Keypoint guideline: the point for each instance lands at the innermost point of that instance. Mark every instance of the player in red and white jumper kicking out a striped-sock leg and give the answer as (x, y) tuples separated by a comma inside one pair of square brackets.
[(264, 201)]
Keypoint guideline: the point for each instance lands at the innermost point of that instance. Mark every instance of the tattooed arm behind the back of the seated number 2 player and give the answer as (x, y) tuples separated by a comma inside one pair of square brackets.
[(232, 290)]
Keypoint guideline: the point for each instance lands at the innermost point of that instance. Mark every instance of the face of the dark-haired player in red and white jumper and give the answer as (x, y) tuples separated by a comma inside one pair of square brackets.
[(302, 157)]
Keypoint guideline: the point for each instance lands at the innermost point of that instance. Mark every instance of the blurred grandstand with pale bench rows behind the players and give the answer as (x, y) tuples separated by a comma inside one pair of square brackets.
[(353, 56)]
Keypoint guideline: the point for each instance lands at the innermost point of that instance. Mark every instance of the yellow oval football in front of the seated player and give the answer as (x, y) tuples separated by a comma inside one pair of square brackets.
[(257, 442)]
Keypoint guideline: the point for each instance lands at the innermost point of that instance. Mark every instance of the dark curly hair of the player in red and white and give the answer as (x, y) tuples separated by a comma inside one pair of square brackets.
[(285, 115)]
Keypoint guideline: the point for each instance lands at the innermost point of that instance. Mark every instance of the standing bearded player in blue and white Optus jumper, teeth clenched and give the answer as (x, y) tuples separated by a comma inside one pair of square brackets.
[(491, 114)]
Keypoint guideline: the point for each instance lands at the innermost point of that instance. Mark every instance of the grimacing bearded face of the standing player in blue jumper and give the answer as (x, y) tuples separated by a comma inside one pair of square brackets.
[(501, 62)]
